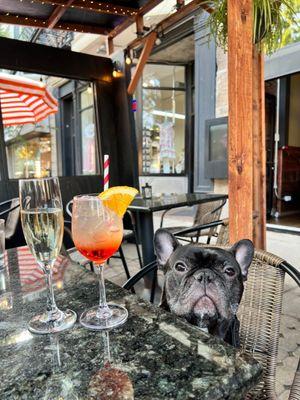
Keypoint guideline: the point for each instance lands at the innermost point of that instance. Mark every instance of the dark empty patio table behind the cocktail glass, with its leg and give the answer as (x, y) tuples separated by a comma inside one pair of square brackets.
[(146, 207)]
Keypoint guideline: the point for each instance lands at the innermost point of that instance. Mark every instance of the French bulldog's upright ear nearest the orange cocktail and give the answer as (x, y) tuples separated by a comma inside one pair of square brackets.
[(164, 245)]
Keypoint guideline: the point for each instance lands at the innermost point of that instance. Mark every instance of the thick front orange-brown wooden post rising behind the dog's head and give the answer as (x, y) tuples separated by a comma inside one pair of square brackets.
[(240, 121)]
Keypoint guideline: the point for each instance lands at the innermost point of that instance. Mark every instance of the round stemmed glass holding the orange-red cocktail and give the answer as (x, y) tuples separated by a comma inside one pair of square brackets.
[(97, 232)]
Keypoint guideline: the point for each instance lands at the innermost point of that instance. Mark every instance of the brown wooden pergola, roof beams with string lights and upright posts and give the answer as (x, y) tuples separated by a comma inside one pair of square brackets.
[(246, 138)]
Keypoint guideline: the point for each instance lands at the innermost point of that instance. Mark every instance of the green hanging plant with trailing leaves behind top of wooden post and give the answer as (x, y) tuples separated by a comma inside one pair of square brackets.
[(269, 22)]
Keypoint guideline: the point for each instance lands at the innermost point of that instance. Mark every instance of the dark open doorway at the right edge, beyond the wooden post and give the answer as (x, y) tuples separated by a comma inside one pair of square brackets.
[(283, 152)]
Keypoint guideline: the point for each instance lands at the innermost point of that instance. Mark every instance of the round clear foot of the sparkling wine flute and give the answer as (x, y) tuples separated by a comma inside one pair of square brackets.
[(41, 324)]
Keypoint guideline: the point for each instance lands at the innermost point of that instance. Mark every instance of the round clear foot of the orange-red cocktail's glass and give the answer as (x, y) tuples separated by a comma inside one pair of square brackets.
[(92, 320)]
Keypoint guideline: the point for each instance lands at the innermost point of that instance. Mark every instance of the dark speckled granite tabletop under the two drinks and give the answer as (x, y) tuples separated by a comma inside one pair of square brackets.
[(153, 356)]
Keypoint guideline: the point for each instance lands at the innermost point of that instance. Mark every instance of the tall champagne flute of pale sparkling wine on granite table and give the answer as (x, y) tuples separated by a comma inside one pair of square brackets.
[(43, 226)]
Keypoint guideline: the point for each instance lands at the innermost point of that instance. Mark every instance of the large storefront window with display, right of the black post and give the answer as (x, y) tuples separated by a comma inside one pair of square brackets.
[(163, 120)]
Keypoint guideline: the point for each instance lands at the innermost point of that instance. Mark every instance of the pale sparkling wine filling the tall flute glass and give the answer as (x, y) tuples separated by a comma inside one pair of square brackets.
[(43, 231)]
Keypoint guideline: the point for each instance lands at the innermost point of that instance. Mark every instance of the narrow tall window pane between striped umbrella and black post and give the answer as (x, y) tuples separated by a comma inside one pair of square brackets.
[(88, 139)]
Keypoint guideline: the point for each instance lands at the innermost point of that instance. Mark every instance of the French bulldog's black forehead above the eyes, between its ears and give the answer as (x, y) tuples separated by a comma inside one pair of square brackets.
[(199, 257)]
